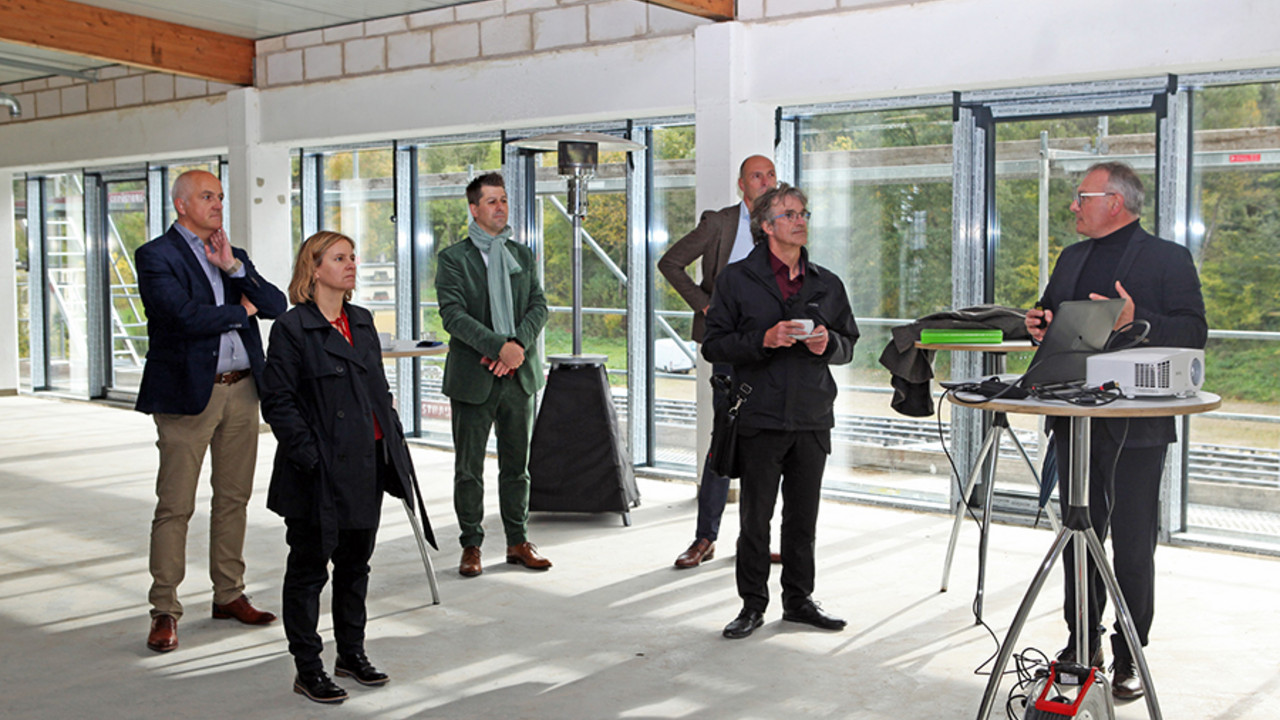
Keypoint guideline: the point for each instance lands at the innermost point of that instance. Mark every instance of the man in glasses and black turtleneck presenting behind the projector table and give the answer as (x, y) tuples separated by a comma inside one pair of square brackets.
[(1160, 286)]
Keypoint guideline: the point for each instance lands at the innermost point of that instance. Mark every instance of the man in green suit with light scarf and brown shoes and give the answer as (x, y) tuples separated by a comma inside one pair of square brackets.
[(493, 308)]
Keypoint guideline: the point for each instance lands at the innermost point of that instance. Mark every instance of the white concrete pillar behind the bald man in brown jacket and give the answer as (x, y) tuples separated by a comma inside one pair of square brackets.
[(730, 129)]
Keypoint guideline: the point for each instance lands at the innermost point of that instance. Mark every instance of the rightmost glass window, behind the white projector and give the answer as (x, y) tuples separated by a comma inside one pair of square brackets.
[(1235, 463)]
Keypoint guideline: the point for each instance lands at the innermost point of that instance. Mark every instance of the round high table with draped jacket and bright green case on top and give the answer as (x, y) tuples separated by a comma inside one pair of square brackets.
[(994, 364)]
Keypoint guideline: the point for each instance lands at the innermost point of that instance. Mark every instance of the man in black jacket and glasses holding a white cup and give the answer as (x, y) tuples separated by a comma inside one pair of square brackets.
[(781, 322)]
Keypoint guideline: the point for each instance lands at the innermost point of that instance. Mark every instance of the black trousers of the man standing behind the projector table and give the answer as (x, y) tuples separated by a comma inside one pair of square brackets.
[(1132, 499)]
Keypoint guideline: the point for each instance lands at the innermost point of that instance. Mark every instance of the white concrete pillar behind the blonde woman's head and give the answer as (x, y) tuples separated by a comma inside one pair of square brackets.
[(259, 190)]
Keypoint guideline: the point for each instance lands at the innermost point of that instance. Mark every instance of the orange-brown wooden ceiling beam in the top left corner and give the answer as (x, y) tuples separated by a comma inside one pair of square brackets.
[(127, 39)]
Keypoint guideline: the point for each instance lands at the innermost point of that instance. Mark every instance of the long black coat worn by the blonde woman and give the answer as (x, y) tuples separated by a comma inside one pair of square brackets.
[(321, 395)]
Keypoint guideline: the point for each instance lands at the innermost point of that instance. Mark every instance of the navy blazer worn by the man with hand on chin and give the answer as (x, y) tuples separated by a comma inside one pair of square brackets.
[(185, 325)]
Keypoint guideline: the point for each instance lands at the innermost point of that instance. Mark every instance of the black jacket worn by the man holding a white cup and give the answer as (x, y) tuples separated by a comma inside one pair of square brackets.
[(792, 389)]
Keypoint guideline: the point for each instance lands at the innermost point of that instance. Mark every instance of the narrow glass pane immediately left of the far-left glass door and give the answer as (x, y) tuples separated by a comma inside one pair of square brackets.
[(67, 284)]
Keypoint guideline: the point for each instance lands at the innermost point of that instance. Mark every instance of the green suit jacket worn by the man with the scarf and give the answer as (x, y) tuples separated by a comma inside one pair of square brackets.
[(463, 291)]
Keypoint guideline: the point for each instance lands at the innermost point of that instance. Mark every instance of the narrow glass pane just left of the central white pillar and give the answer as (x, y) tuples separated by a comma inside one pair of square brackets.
[(675, 215)]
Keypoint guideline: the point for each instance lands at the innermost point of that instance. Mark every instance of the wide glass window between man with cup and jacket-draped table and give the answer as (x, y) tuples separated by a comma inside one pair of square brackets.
[(880, 192)]
